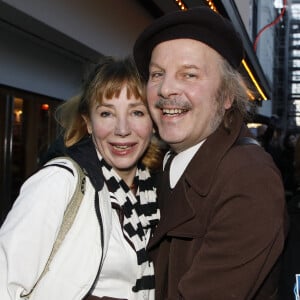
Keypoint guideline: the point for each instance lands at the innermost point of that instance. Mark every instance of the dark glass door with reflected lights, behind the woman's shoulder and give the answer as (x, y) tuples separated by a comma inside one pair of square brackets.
[(27, 129)]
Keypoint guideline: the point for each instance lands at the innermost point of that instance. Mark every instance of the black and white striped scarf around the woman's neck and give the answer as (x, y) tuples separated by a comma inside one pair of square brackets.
[(140, 214)]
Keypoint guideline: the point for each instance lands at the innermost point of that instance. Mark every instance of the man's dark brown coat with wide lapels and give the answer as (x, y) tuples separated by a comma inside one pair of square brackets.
[(223, 226)]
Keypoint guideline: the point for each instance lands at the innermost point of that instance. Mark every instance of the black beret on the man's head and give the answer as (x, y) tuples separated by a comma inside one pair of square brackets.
[(201, 24)]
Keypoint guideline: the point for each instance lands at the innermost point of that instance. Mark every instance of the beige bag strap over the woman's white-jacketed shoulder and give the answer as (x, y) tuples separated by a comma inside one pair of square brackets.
[(69, 214)]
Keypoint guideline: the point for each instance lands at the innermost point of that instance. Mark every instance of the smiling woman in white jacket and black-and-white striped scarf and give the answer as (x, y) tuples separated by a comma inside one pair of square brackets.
[(107, 132)]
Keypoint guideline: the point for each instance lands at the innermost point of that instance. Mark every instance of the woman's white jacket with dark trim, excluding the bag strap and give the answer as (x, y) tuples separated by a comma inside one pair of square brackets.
[(30, 229)]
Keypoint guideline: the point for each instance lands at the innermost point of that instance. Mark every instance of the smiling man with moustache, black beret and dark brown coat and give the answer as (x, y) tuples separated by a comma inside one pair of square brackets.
[(223, 216)]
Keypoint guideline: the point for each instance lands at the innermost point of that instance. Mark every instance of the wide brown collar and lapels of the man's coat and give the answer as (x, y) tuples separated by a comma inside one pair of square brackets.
[(175, 207)]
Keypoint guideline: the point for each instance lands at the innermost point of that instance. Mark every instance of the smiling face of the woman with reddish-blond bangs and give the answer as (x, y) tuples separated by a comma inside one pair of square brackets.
[(121, 128)]
